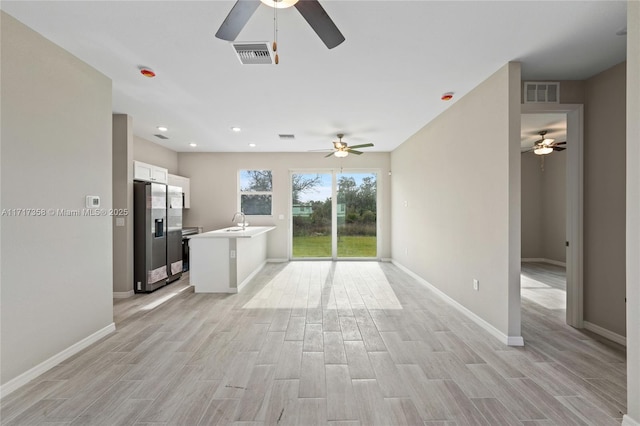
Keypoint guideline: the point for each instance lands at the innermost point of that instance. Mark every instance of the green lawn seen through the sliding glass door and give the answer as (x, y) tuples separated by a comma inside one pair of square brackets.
[(348, 246)]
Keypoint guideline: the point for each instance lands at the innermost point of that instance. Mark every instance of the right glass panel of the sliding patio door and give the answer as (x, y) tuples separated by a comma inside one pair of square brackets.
[(356, 214)]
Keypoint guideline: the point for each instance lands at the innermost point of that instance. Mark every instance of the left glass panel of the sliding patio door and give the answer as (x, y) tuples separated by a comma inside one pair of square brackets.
[(311, 215)]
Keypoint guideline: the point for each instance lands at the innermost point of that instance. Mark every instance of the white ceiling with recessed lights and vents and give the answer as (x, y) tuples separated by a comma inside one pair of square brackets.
[(381, 85)]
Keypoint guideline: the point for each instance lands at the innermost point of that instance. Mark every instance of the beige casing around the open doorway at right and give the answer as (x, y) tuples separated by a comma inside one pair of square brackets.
[(574, 204)]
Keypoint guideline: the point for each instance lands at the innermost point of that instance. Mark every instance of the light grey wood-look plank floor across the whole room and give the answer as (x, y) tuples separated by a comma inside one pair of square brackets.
[(346, 343)]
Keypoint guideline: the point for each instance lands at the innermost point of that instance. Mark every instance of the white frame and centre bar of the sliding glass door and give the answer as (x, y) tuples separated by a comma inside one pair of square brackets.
[(334, 209)]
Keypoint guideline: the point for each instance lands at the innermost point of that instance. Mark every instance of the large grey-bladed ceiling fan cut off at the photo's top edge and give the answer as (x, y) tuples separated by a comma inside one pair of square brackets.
[(311, 11)]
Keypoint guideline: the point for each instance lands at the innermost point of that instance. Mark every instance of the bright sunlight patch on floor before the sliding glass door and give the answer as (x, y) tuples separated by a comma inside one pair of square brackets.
[(327, 285)]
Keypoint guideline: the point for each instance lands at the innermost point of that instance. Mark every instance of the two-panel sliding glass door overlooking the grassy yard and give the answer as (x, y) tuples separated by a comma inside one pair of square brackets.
[(334, 215)]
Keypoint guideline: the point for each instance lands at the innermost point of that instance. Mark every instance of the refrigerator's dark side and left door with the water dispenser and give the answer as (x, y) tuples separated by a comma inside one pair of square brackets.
[(149, 236)]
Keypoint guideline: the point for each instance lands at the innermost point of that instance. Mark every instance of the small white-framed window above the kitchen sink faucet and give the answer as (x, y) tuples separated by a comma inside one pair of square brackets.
[(256, 192)]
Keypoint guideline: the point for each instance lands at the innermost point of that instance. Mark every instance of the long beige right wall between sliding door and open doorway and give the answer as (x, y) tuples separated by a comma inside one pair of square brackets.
[(456, 201)]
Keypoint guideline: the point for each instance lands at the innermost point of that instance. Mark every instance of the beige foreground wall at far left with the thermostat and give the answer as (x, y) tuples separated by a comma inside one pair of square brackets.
[(56, 149)]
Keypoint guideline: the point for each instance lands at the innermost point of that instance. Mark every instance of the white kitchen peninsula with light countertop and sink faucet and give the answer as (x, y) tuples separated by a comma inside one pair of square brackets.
[(224, 260)]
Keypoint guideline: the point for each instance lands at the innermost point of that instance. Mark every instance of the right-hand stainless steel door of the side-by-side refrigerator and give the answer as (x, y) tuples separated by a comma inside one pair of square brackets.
[(174, 233)]
